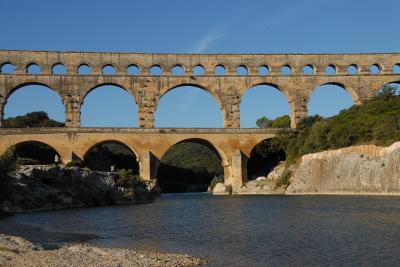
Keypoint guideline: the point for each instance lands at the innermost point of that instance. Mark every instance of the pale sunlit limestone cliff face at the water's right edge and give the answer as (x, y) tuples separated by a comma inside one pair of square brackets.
[(364, 169)]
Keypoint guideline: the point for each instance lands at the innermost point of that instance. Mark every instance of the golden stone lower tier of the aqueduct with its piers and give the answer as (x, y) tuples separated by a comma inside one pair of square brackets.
[(149, 145)]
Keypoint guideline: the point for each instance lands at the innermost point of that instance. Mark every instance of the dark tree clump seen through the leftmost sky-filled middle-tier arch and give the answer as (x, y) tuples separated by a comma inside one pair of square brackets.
[(32, 119)]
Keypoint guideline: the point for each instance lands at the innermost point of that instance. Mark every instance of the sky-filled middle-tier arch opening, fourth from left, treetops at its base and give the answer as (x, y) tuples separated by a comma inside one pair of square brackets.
[(263, 100)]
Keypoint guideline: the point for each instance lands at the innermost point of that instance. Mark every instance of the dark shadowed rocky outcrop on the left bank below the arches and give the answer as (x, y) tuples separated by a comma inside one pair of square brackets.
[(53, 187)]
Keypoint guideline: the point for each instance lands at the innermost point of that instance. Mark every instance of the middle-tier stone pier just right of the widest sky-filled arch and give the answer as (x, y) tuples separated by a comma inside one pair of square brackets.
[(231, 111)]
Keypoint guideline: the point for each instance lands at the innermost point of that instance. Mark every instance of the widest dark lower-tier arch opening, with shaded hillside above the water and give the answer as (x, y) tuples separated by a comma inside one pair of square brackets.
[(189, 176)]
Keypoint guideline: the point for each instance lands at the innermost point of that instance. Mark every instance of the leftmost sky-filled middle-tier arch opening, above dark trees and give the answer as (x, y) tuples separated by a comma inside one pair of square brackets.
[(32, 97)]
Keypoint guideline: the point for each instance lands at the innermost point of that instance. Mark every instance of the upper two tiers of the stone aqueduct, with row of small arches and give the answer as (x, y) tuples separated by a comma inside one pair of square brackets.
[(227, 89)]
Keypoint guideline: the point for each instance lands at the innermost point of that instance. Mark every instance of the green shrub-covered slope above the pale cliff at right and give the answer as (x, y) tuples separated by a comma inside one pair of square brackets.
[(377, 121)]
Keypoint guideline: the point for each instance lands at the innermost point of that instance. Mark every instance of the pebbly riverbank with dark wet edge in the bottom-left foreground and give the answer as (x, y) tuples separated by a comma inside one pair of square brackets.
[(22, 245)]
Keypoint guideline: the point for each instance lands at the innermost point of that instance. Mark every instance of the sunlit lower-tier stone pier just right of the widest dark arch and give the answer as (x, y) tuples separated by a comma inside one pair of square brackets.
[(238, 174)]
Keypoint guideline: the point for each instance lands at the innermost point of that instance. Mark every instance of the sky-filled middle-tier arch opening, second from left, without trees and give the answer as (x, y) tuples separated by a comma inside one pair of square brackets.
[(108, 105)]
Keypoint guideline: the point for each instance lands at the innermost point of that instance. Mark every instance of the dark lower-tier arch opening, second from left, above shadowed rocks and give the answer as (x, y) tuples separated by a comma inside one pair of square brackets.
[(106, 153)]
